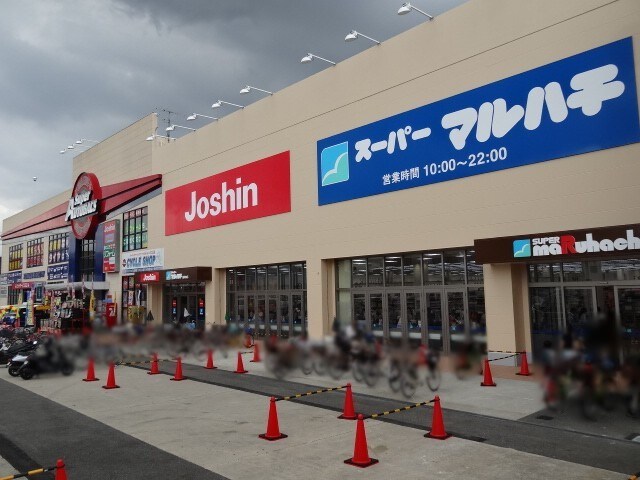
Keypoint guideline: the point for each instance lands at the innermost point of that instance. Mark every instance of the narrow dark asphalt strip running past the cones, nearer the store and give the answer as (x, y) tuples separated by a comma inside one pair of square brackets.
[(549, 441)]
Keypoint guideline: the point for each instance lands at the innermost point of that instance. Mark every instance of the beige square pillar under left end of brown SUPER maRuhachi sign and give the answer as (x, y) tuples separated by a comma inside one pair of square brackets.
[(507, 309)]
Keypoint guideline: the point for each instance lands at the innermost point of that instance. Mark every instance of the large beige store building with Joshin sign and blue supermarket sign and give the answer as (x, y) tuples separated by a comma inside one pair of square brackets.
[(419, 191)]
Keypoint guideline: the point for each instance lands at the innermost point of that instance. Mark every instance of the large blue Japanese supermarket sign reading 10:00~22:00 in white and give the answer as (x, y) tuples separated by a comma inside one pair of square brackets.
[(580, 104)]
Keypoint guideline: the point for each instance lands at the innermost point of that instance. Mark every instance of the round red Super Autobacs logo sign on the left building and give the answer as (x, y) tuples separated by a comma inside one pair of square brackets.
[(84, 209)]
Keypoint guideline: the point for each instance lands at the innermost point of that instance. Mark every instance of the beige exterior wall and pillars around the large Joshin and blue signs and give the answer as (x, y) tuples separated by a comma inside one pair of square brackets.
[(476, 44)]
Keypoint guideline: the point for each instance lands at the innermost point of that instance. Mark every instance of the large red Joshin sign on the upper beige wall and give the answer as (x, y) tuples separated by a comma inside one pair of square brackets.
[(255, 190)]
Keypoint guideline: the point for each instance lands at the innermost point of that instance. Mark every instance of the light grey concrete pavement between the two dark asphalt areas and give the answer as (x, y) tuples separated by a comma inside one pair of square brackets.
[(216, 428)]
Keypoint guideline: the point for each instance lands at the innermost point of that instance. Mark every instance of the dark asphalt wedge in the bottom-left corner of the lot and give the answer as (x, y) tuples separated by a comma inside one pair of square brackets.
[(35, 432)]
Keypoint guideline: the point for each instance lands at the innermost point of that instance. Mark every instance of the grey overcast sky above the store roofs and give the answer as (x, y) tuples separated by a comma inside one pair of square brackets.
[(72, 69)]
